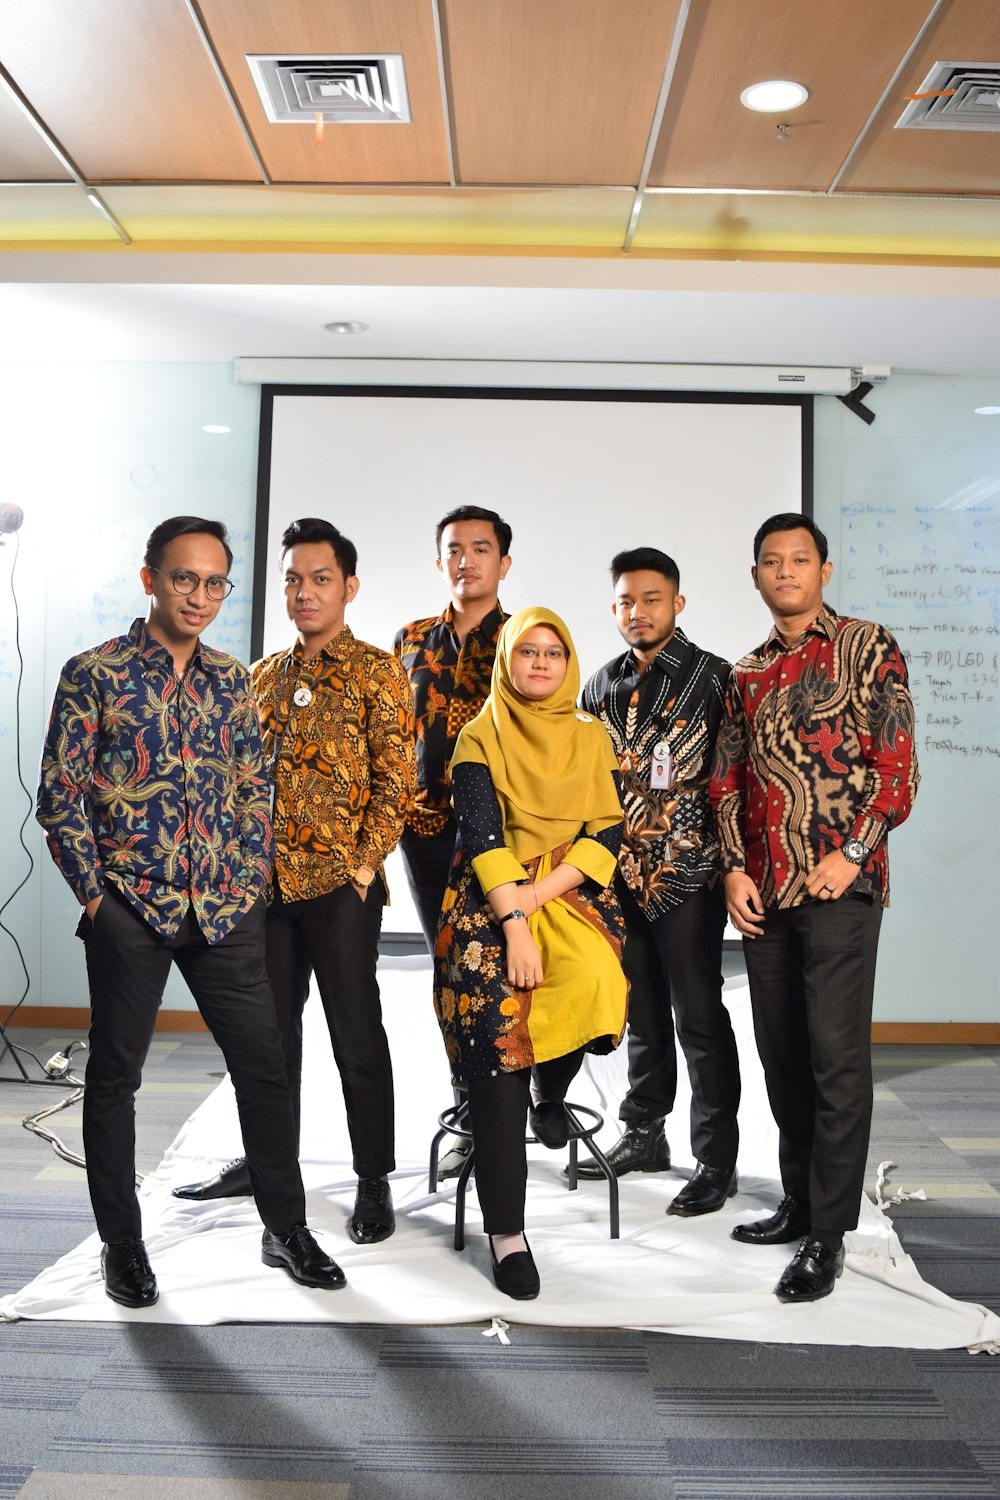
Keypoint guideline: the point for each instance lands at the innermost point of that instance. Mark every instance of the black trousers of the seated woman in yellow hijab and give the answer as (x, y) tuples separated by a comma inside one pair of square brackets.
[(499, 1114)]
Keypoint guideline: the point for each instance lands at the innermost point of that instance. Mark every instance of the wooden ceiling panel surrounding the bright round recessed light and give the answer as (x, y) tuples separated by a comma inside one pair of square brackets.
[(845, 53)]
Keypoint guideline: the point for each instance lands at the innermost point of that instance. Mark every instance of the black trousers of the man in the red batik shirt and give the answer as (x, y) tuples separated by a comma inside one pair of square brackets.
[(812, 988)]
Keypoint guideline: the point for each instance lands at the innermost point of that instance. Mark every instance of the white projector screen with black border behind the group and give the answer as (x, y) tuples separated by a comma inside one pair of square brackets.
[(578, 475)]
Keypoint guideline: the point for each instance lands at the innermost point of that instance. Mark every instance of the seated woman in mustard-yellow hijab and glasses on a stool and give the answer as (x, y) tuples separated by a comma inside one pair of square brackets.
[(528, 956)]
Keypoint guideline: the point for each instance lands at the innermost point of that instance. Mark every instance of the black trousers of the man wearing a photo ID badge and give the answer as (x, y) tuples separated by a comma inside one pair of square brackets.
[(675, 964)]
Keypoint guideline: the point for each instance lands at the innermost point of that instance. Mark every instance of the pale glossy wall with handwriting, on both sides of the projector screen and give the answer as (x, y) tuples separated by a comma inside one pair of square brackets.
[(98, 454)]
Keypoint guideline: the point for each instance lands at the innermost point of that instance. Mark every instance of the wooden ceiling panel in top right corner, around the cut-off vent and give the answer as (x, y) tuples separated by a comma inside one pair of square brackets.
[(935, 161)]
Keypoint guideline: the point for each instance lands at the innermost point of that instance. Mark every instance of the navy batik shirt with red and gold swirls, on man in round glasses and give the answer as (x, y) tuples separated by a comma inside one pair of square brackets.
[(155, 784)]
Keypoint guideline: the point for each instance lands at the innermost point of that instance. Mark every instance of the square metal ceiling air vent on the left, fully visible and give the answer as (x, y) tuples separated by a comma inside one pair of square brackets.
[(346, 91)]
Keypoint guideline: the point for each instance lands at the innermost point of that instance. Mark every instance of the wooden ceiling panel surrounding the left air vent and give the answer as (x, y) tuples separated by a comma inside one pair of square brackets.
[(352, 154)]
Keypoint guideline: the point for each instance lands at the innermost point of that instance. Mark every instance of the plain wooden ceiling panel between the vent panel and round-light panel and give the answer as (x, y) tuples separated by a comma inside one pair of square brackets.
[(561, 92)]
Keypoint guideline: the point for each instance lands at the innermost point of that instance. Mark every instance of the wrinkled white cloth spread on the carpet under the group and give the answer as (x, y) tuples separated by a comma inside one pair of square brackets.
[(663, 1274)]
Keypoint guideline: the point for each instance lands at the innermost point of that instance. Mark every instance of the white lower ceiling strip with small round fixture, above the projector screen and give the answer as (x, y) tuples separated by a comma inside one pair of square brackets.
[(935, 320)]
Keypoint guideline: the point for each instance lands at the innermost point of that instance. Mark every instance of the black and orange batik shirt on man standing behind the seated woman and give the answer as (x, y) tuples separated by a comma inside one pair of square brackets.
[(451, 685)]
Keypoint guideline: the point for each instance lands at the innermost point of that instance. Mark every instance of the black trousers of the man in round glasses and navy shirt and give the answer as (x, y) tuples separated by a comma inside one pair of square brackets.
[(128, 965)]
